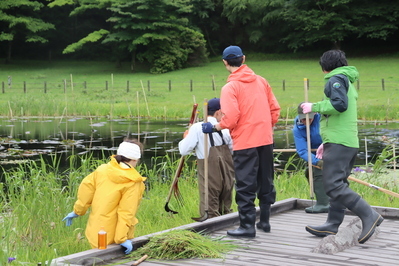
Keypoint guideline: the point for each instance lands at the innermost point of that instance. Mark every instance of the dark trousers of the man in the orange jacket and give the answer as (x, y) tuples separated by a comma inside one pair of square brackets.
[(254, 173)]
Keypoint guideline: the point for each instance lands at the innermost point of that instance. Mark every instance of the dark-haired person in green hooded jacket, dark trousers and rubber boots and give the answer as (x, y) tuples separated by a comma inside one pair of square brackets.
[(338, 128)]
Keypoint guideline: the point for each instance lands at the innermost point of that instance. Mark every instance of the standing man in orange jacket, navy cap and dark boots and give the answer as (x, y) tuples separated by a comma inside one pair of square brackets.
[(250, 111)]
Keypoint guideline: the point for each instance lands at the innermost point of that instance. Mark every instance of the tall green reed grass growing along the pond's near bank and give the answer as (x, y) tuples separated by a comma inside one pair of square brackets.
[(36, 196)]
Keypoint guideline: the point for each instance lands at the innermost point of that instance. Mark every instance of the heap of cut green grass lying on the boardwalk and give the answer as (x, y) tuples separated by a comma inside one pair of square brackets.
[(184, 244)]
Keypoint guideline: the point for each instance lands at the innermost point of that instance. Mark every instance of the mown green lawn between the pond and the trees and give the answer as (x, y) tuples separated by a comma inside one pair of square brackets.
[(374, 102)]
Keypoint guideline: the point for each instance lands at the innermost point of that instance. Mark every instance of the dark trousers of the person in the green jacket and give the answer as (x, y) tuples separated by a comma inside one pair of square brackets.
[(338, 163)]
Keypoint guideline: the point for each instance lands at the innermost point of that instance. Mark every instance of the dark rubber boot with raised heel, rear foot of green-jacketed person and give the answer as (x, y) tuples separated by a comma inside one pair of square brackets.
[(370, 219)]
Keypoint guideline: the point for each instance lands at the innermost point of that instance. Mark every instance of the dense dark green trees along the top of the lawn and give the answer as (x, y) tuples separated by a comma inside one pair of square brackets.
[(172, 34)]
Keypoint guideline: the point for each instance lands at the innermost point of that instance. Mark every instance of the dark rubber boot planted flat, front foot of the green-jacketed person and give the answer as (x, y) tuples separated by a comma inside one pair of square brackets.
[(330, 227)]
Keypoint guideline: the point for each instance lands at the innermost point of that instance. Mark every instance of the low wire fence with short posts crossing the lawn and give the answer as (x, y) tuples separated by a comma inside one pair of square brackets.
[(169, 85)]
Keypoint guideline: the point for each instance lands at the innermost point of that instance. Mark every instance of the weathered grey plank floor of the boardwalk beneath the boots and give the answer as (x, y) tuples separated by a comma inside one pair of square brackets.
[(289, 244)]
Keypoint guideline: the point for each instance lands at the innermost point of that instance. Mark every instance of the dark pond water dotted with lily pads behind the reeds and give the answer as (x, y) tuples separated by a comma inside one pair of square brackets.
[(29, 138)]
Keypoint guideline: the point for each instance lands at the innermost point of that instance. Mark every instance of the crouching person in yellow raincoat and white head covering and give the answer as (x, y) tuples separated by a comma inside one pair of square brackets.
[(113, 191)]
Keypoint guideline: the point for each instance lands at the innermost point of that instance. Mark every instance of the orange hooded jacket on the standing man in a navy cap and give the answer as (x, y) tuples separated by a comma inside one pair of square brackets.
[(250, 109)]
